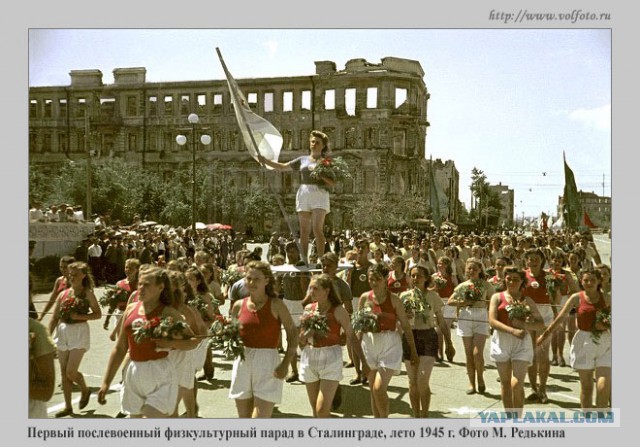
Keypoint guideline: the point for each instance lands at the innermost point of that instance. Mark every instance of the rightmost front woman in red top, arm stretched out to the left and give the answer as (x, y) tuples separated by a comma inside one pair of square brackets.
[(591, 346)]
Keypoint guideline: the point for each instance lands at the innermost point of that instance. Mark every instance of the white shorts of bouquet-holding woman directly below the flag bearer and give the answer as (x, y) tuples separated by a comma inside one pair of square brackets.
[(321, 363)]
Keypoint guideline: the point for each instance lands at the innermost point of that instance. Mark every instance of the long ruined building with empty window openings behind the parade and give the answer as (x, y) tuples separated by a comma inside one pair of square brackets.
[(375, 116)]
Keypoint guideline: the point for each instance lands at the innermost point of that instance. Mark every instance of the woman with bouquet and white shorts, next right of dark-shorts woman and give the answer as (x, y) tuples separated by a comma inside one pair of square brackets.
[(472, 297)]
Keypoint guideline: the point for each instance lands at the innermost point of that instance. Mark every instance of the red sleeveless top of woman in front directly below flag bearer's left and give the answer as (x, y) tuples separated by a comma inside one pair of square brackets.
[(259, 329)]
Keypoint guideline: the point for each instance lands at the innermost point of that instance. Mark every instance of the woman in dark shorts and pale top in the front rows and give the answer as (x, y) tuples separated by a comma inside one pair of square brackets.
[(426, 339)]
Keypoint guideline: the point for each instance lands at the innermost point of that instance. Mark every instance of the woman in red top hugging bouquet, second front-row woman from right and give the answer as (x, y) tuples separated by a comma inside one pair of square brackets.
[(512, 315)]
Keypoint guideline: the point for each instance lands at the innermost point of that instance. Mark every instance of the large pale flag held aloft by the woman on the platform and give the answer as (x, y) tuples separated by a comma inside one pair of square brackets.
[(258, 134)]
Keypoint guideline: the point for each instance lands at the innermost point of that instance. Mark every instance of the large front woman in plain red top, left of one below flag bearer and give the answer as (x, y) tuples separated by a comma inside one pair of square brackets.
[(256, 381)]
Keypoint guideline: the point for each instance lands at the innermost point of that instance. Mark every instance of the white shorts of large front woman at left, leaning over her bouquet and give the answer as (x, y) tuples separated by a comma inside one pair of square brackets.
[(150, 383)]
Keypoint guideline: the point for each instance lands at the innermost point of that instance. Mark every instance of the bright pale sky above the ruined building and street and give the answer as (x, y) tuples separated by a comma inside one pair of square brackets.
[(507, 101)]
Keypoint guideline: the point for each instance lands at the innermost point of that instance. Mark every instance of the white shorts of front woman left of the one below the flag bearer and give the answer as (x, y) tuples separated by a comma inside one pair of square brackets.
[(253, 376)]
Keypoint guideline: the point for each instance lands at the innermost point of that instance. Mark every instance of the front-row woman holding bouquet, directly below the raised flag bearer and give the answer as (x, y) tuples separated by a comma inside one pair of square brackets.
[(321, 359)]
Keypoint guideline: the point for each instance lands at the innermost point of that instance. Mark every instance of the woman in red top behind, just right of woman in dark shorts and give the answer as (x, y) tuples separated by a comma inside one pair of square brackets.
[(444, 282)]
